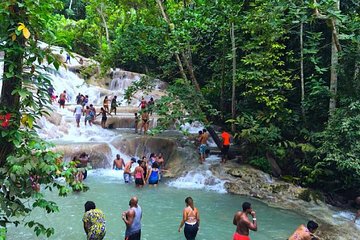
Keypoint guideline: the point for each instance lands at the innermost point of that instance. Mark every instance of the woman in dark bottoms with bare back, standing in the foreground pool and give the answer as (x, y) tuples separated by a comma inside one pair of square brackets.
[(191, 220)]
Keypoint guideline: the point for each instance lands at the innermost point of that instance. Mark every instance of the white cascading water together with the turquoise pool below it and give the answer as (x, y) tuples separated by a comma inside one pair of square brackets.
[(162, 206)]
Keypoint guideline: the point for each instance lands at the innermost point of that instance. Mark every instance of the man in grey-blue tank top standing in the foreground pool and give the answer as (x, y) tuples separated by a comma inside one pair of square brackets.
[(132, 219)]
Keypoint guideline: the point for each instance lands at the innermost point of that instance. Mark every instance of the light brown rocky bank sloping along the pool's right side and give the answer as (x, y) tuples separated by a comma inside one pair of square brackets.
[(247, 181)]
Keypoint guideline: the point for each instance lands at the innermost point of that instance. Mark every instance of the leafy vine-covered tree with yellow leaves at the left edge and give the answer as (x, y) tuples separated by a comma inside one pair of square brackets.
[(26, 163)]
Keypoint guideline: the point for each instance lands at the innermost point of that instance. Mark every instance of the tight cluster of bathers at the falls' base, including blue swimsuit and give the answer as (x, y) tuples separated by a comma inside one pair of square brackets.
[(148, 171)]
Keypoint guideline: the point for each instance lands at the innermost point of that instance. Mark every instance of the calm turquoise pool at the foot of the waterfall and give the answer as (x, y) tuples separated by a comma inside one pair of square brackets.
[(162, 211)]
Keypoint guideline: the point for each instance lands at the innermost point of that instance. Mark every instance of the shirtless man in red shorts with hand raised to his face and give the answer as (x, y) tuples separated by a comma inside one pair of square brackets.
[(243, 224)]
